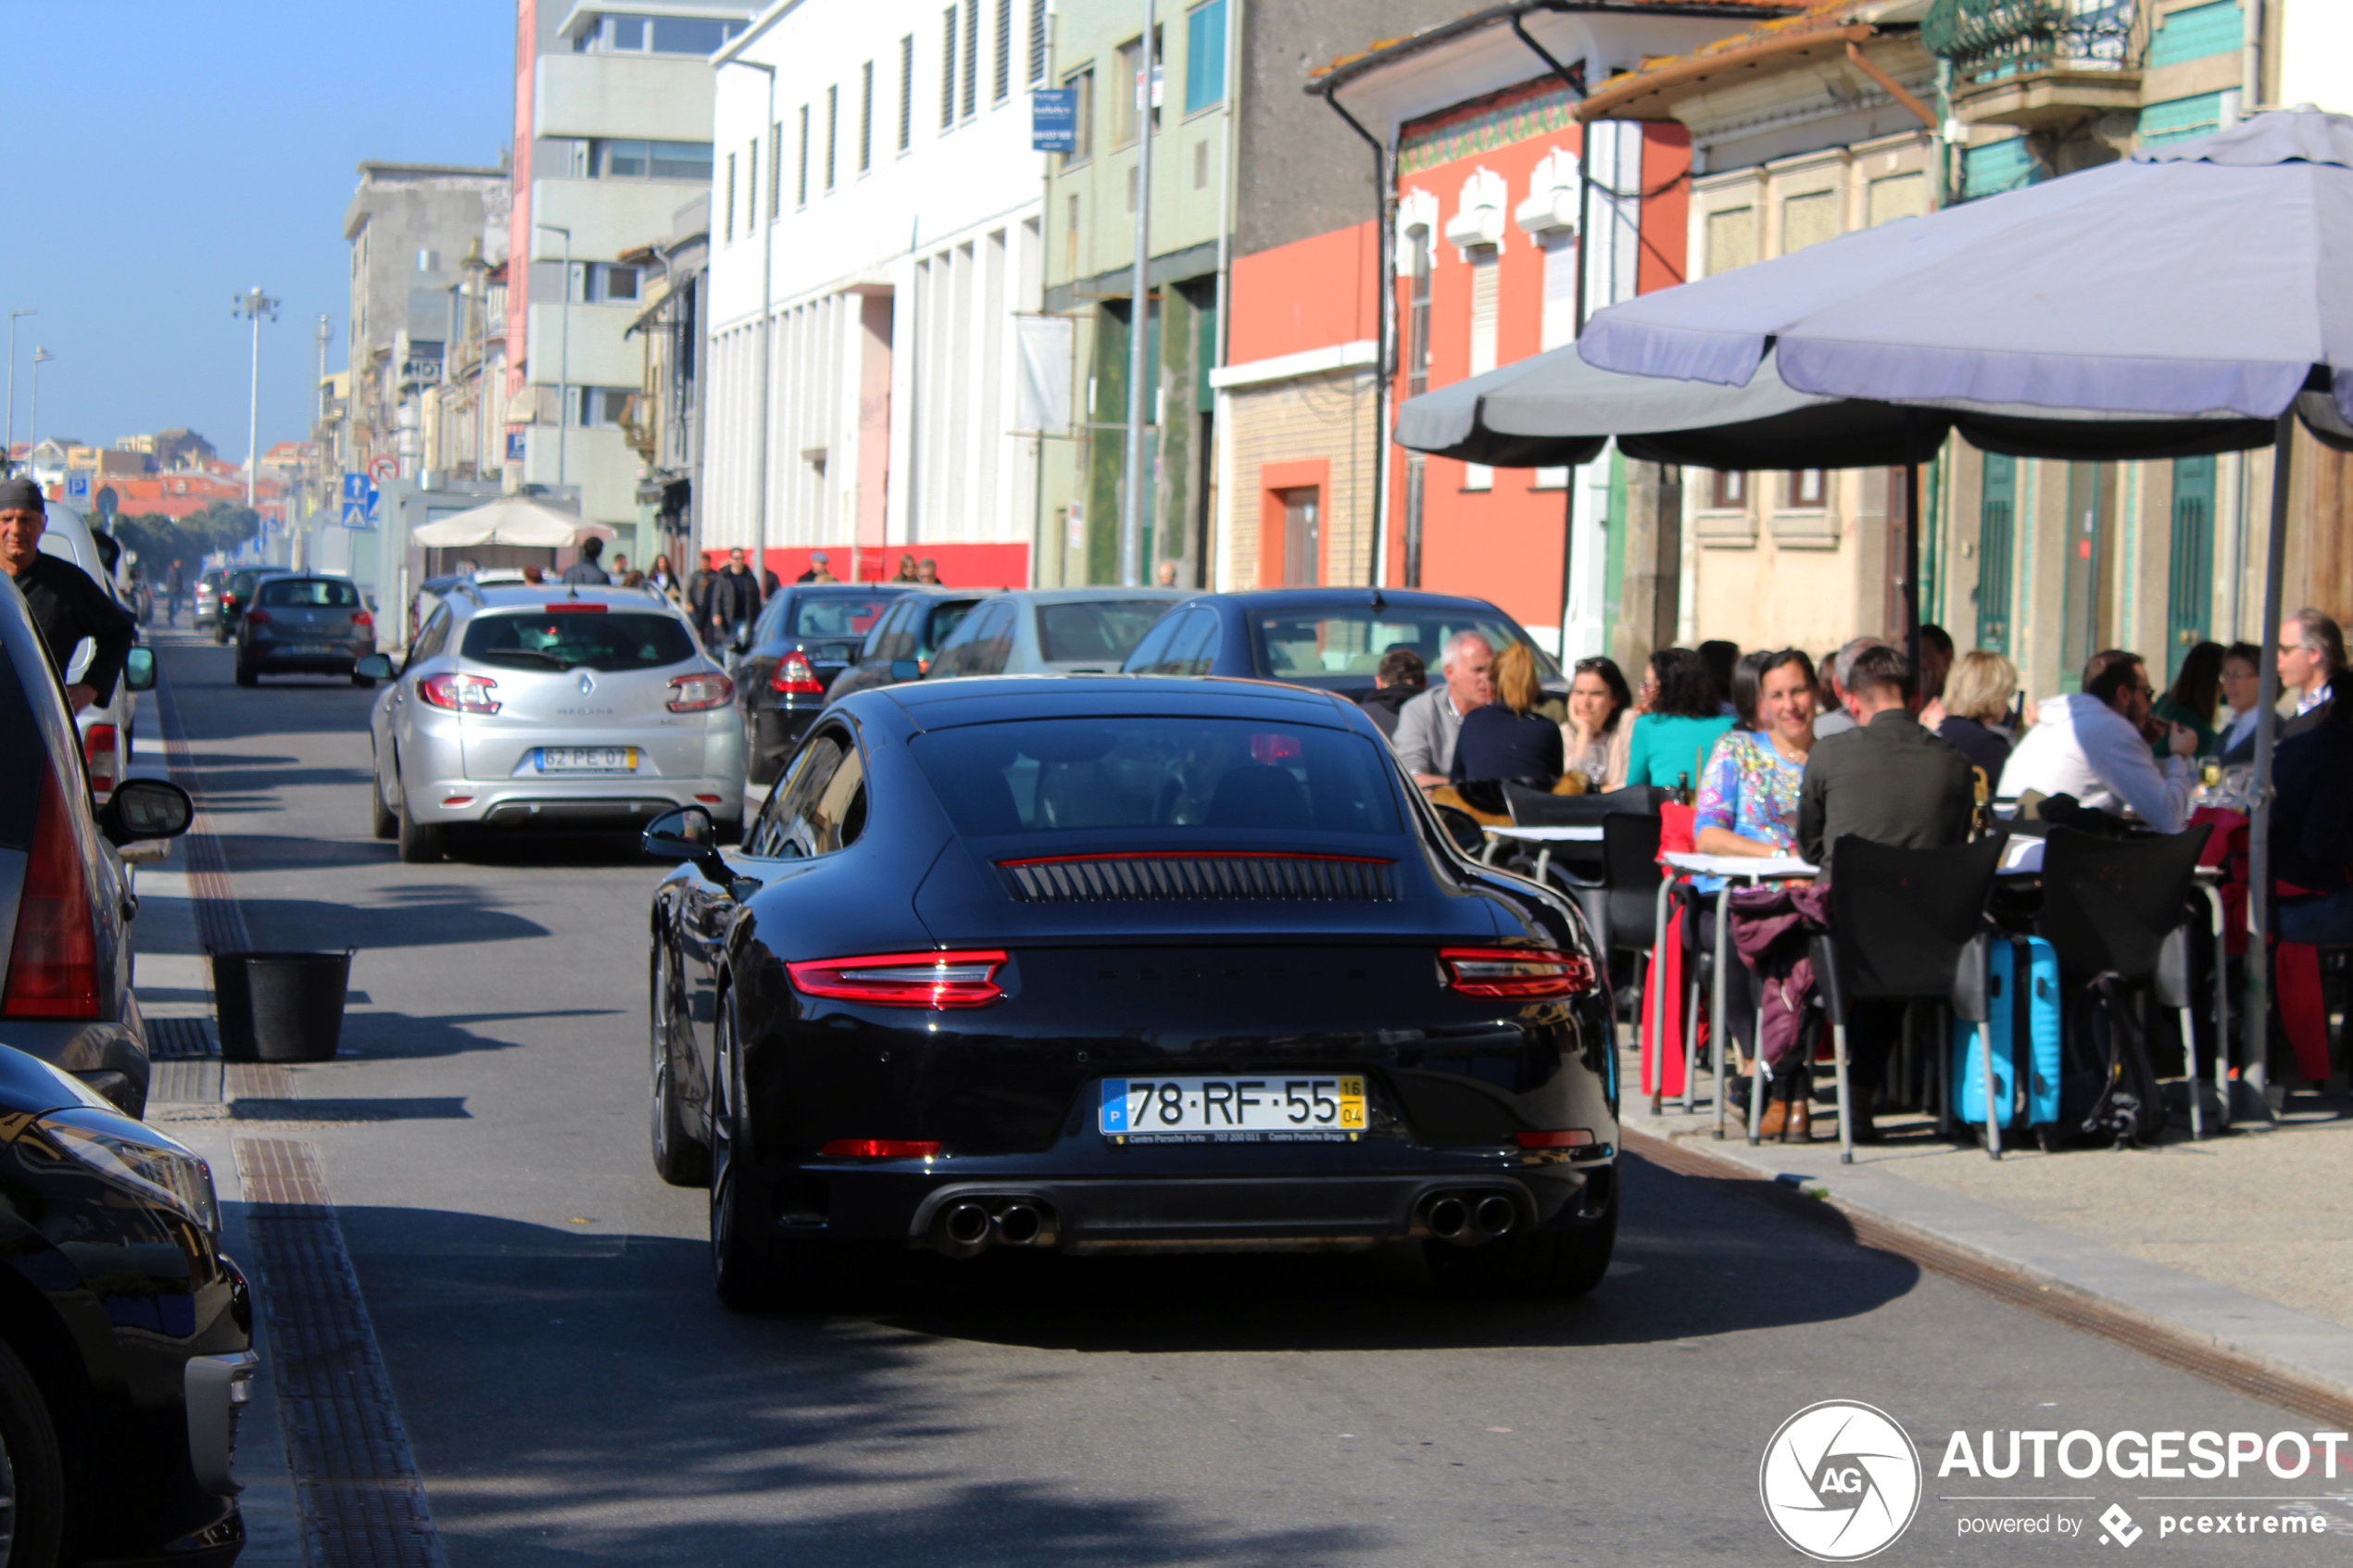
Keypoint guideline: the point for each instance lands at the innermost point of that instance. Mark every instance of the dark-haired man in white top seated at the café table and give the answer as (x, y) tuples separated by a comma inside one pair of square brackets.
[(2091, 746)]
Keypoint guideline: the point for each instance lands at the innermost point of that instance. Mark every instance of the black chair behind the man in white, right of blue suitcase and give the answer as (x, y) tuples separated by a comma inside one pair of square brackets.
[(2119, 916)]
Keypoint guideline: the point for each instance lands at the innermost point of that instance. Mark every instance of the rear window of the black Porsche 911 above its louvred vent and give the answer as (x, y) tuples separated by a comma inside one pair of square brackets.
[(1161, 775)]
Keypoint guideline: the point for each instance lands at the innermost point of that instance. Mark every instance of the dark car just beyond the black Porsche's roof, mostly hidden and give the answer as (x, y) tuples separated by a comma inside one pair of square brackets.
[(1326, 638)]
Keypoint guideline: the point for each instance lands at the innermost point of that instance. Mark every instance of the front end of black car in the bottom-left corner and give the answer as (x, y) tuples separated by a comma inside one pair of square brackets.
[(126, 1336)]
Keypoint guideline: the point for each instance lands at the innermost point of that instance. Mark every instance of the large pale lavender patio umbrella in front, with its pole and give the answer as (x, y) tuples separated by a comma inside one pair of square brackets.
[(2192, 281)]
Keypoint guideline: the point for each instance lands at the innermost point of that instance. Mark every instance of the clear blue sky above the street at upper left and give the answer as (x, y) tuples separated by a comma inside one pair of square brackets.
[(173, 156)]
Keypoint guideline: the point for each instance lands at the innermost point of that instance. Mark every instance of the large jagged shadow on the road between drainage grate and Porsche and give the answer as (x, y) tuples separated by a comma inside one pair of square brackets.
[(608, 1383)]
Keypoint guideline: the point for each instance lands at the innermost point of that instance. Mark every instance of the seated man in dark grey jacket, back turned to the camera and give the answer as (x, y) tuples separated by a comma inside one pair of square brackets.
[(1891, 782)]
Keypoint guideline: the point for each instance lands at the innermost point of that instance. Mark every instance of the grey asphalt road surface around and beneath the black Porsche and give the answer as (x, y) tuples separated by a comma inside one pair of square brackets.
[(573, 1391)]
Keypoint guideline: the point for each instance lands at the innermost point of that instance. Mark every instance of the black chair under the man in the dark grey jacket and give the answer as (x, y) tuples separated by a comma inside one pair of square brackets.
[(1907, 925)]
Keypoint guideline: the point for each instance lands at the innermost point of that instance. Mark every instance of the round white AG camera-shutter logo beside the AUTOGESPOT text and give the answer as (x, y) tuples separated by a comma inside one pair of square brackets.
[(1841, 1482)]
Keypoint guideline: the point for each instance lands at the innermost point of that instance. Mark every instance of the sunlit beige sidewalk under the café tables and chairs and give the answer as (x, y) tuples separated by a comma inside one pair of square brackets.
[(2244, 1240)]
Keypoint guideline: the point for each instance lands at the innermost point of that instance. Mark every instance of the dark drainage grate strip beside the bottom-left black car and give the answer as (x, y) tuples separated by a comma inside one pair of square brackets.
[(361, 1499)]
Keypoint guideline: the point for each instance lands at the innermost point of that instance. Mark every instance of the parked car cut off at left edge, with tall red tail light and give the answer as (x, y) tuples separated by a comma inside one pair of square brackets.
[(65, 899)]
